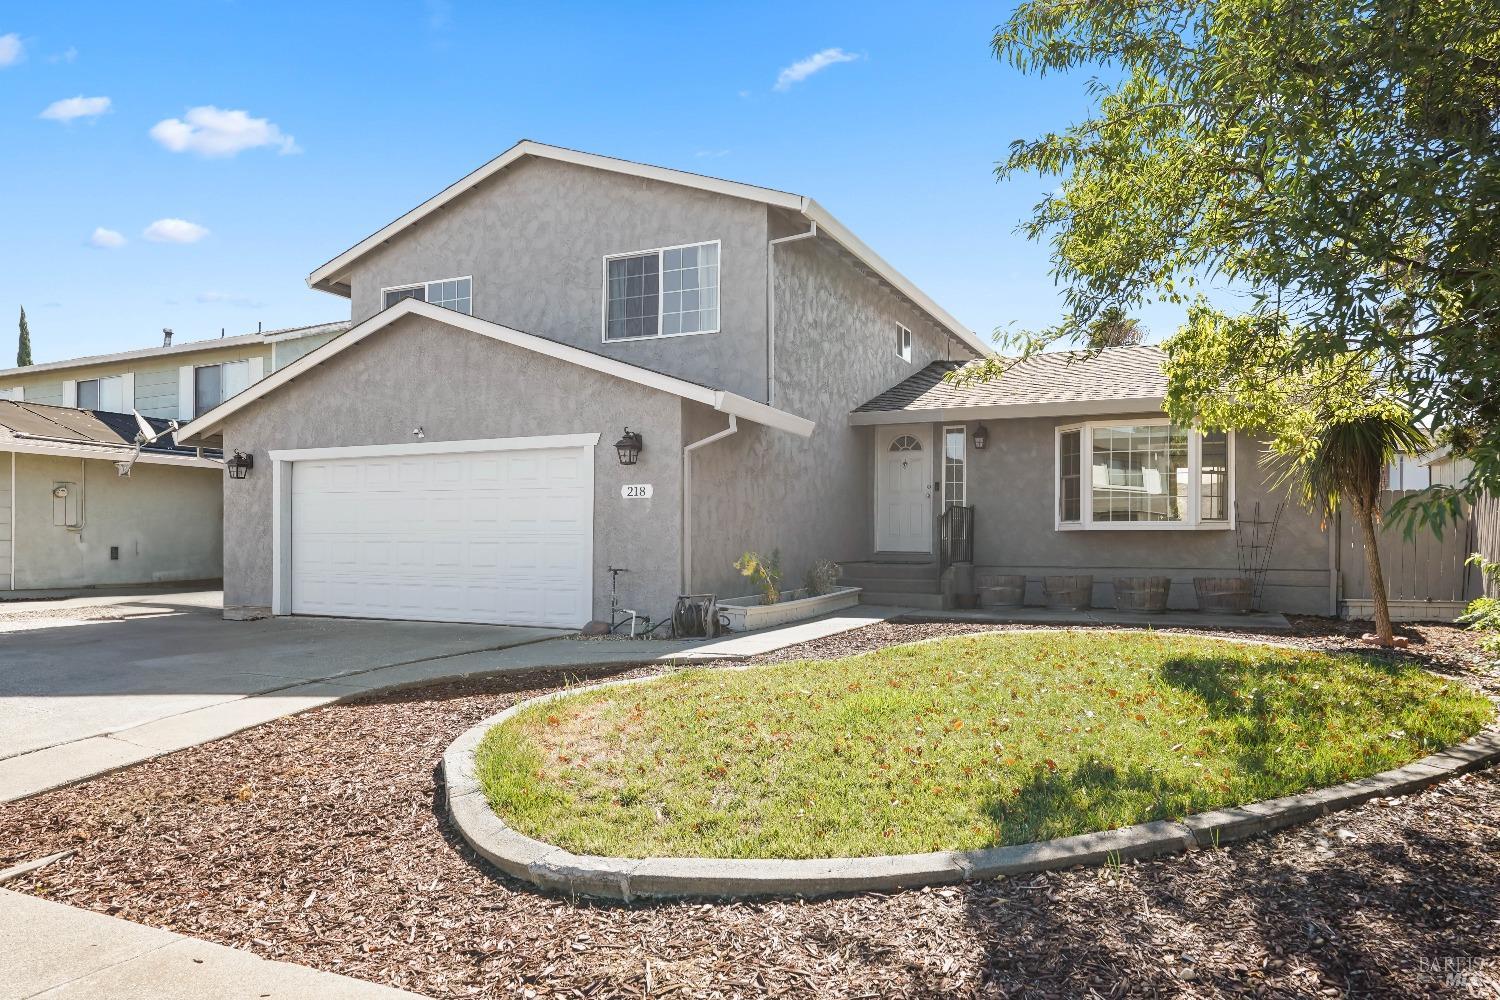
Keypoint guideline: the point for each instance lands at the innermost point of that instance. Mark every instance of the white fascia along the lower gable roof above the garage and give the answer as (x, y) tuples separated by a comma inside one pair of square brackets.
[(722, 401)]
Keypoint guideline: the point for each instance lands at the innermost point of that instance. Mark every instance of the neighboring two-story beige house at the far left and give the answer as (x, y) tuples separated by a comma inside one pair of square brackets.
[(80, 503)]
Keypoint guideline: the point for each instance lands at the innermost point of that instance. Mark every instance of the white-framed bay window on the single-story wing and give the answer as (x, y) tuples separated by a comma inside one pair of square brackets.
[(1142, 475)]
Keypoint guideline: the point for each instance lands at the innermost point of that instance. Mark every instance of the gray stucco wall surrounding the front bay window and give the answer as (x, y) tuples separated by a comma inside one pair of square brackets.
[(1010, 487)]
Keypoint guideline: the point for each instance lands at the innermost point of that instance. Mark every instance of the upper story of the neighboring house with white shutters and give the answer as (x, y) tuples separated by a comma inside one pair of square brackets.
[(167, 383)]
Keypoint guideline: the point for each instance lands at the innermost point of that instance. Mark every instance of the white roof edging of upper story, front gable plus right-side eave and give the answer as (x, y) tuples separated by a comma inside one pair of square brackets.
[(331, 277)]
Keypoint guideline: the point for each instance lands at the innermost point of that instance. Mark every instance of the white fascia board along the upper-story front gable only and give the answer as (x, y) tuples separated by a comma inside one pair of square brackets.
[(328, 277)]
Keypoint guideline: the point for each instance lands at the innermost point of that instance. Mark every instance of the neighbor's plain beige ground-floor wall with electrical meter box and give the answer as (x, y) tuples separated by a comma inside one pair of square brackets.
[(164, 521)]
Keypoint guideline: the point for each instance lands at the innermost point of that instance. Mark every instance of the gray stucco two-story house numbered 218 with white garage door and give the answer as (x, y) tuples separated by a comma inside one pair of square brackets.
[(454, 457)]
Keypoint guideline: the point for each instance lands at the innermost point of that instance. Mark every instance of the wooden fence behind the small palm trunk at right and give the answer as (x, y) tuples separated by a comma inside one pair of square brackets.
[(1426, 576)]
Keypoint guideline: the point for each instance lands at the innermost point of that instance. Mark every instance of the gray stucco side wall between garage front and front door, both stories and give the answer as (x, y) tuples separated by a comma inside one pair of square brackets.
[(811, 499)]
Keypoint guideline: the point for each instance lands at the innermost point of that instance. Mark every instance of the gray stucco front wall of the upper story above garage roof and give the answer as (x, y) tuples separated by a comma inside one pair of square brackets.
[(535, 241)]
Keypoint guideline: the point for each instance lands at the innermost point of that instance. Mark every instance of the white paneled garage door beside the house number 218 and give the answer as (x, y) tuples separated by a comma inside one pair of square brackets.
[(496, 537)]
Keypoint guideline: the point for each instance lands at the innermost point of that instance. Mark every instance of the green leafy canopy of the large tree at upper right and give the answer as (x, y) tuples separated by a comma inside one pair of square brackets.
[(1333, 160)]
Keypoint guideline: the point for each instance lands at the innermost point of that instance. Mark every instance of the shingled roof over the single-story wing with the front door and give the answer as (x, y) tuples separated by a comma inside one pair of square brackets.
[(1064, 383)]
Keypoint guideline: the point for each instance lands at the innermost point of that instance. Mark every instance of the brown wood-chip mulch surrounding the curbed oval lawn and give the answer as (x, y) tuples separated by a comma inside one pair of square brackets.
[(320, 840)]
